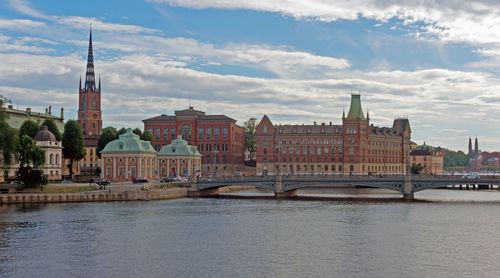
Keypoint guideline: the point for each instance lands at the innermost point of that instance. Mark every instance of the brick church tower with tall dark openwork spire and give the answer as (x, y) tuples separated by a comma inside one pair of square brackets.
[(89, 109)]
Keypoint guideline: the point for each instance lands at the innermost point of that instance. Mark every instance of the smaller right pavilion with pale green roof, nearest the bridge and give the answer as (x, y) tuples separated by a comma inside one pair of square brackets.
[(179, 159)]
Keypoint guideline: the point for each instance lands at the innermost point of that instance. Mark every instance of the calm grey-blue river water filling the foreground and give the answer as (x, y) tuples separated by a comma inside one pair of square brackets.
[(456, 235)]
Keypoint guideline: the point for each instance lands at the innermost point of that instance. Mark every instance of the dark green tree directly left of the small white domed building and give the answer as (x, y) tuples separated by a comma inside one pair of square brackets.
[(31, 158)]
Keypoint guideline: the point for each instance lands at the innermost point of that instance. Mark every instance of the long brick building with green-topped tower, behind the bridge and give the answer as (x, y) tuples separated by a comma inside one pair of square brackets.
[(355, 147)]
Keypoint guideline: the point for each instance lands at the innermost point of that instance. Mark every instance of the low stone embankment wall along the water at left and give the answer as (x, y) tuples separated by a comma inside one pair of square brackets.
[(94, 196)]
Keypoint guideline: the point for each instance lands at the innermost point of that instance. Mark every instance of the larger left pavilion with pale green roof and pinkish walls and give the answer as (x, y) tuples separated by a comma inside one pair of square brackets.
[(128, 157)]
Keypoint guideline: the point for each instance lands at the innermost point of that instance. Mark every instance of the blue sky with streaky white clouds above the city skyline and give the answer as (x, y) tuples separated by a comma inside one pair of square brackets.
[(435, 62)]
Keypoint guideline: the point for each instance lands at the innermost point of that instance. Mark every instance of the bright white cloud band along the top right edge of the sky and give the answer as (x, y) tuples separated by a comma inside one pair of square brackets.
[(472, 22)]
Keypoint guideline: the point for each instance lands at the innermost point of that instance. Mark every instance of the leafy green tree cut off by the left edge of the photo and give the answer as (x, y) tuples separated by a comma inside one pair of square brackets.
[(8, 140)]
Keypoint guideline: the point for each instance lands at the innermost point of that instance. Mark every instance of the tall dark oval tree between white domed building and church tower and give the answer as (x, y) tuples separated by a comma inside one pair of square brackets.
[(72, 143)]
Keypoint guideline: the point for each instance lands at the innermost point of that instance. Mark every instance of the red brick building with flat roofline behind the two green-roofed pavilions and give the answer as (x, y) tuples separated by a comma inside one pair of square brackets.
[(218, 138)]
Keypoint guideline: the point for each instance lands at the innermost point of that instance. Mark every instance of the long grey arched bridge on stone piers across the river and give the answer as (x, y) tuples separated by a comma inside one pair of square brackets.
[(287, 186)]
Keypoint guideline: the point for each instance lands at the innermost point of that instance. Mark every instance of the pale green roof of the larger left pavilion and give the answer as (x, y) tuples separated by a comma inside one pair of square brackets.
[(129, 142)]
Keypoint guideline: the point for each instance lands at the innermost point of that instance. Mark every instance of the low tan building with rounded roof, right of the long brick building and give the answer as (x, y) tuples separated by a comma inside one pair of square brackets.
[(430, 158)]
